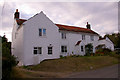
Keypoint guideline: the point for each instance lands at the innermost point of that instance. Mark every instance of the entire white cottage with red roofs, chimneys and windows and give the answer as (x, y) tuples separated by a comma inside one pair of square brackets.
[(38, 38)]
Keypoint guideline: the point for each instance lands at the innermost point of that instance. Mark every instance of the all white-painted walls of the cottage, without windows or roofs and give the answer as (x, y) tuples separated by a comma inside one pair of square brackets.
[(28, 37)]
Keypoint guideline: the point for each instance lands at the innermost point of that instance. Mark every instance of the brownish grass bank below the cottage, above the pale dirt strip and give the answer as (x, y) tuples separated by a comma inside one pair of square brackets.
[(73, 64)]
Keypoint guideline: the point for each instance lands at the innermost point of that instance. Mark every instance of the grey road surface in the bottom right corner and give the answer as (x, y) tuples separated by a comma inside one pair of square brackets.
[(106, 72)]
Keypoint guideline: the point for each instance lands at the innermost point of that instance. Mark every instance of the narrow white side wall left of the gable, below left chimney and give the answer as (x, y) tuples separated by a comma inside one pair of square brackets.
[(17, 42)]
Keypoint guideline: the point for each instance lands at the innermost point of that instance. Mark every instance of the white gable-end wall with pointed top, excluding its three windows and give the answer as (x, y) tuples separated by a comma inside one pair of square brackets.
[(32, 39)]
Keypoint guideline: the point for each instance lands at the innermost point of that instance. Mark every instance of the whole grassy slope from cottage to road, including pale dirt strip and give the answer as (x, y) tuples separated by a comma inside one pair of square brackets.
[(63, 66)]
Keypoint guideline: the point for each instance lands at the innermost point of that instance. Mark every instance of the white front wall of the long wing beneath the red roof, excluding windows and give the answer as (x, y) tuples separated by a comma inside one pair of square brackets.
[(73, 37)]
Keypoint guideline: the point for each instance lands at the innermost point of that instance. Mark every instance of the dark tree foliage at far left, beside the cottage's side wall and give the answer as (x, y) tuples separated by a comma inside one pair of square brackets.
[(8, 60)]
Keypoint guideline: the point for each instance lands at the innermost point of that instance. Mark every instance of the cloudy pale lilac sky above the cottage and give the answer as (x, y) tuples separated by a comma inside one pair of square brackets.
[(102, 16)]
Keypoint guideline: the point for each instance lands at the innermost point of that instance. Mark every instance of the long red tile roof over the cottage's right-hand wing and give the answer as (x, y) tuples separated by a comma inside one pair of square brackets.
[(75, 29)]
